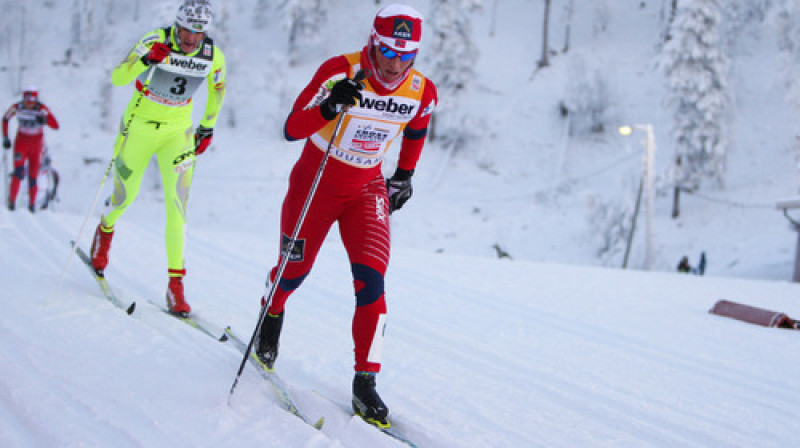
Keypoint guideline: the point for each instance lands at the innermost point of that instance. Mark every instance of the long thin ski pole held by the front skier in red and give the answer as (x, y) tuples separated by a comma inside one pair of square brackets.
[(286, 253)]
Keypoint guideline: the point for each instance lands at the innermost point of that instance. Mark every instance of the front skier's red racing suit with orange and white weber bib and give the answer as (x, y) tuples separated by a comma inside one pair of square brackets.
[(352, 190)]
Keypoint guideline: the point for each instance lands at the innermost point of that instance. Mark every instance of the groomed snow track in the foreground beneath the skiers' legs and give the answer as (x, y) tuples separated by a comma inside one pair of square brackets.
[(478, 352)]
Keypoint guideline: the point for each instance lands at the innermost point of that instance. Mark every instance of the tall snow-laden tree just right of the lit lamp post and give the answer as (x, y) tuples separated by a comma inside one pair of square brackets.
[(696, 70)]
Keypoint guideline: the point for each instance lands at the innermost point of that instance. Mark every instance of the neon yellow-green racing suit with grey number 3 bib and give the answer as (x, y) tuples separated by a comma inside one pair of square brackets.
[(159, 123)]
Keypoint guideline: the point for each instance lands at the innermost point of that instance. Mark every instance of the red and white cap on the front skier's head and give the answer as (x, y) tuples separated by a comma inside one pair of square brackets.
[(398, 27)]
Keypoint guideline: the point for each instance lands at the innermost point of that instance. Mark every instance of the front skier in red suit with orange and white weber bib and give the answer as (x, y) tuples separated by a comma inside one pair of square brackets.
[(394, 101)]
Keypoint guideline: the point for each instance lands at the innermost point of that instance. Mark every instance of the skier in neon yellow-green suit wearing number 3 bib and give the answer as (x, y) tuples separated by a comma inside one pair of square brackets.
[(169, 65)]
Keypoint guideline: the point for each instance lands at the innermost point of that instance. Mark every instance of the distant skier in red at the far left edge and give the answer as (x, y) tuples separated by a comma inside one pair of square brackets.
[(32, 116)]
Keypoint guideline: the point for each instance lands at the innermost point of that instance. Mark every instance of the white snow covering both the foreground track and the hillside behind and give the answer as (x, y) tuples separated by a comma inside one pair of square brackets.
[(553, 347)]
